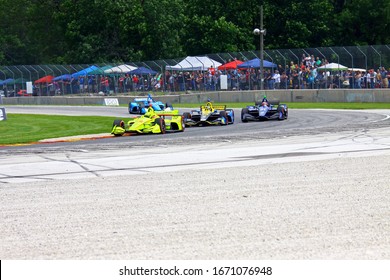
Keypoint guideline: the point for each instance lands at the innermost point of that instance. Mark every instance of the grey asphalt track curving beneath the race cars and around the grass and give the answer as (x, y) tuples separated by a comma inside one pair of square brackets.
[(300, 122)]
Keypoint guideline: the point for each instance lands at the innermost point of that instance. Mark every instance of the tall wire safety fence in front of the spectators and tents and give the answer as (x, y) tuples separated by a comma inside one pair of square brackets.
[(155, 76)]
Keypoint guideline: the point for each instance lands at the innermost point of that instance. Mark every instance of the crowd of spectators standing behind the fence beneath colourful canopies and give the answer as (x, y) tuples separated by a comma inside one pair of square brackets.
[(307, 74)]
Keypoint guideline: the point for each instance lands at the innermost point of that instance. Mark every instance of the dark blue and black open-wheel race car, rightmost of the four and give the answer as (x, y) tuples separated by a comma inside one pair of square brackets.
[(264, 111)]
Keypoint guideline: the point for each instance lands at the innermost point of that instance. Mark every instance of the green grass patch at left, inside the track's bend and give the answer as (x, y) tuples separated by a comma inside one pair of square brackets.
[(23, 128)]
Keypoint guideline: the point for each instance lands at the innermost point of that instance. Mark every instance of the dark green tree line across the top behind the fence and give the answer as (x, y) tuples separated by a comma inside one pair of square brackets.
[(100, 31)]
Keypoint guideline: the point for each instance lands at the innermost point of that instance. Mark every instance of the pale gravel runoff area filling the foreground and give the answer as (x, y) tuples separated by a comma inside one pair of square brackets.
[(320, 208)]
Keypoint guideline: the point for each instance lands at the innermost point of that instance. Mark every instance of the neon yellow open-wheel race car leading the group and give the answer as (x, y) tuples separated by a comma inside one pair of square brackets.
[(150, 122)]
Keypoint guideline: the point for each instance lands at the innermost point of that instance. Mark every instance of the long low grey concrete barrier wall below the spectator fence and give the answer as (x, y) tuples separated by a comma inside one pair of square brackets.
[(287, 96)]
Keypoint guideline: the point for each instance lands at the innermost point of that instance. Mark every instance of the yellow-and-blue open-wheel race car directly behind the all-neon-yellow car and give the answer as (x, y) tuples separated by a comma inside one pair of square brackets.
[(209, 114)]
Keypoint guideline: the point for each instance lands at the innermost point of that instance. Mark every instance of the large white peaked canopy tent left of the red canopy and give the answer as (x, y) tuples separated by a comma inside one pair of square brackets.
[(194, 63)]
